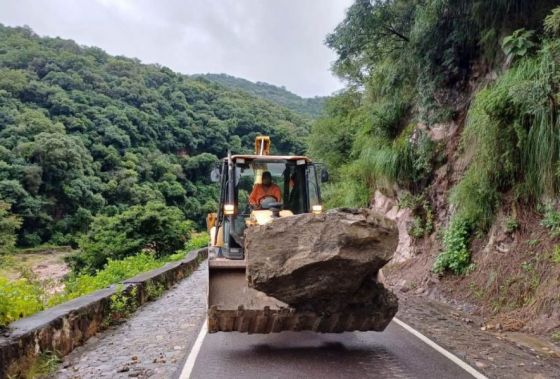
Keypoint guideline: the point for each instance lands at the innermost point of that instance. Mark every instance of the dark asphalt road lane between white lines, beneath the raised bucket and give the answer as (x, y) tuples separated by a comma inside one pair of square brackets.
[(395, 353)]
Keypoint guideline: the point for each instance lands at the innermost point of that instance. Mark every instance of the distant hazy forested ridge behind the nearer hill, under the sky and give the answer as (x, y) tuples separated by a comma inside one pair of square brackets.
[(310, 107)]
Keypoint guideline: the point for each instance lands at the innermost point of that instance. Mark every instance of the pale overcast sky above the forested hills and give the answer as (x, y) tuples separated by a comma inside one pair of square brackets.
[(275, 41)]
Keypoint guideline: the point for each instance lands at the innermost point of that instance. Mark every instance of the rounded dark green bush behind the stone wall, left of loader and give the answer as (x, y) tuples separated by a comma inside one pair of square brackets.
[(155, 226)]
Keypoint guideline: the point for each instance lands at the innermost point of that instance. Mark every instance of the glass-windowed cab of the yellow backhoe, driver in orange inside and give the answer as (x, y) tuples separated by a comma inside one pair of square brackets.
[(257, 188)]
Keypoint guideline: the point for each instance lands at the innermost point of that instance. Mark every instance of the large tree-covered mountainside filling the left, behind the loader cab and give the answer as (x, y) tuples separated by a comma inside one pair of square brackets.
[(84, 134)]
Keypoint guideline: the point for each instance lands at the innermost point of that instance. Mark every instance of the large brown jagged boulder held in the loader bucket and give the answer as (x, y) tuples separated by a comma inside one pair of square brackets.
[(324, 263)]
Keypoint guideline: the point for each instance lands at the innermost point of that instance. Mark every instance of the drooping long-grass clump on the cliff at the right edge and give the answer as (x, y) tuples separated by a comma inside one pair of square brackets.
[(514, 125)]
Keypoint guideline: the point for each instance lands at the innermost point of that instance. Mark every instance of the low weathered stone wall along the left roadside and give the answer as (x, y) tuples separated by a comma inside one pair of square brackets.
[(62, 328)]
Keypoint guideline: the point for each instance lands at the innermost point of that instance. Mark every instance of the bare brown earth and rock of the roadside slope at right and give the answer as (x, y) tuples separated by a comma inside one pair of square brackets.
[(514, 284)]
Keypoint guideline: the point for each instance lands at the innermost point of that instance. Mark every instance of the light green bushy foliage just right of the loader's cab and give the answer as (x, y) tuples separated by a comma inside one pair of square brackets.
[(368, 149)]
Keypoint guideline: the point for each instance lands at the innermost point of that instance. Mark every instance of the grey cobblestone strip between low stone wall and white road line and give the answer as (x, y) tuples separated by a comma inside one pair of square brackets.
[(151, 343)]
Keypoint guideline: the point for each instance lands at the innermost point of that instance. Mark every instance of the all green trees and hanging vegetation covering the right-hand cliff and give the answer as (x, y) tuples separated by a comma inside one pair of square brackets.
[(413, 65)]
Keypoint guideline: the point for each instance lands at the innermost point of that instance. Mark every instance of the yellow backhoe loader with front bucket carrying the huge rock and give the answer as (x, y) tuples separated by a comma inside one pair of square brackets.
[(232, 305)]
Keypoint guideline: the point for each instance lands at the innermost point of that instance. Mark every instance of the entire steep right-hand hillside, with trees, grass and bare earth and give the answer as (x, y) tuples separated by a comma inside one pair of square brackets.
[(450, 126)]
